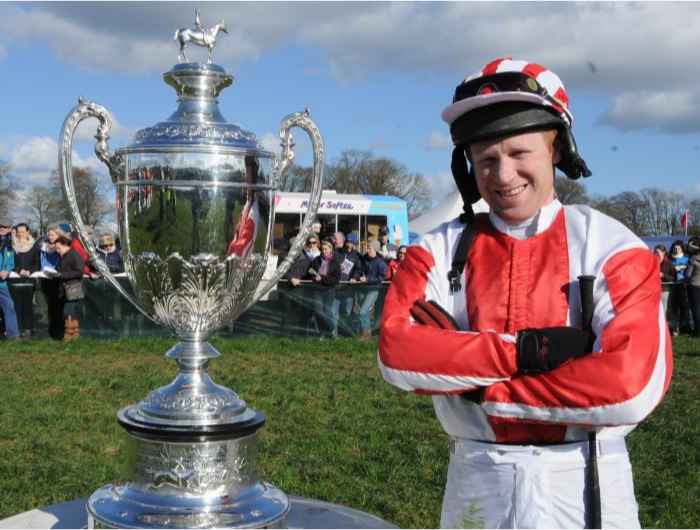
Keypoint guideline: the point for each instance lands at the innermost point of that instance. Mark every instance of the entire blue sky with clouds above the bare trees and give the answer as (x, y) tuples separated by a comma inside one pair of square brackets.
[(375, 75)]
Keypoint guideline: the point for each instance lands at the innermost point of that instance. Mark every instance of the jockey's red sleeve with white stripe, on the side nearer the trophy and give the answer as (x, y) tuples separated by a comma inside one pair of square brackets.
[(430, 360)]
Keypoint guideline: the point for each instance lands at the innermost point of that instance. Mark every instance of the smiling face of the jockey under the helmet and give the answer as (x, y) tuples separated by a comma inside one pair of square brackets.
[(515, 175)]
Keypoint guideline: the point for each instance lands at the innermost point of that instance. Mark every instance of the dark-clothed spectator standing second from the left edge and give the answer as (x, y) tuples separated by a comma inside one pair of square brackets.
[(27, 261)]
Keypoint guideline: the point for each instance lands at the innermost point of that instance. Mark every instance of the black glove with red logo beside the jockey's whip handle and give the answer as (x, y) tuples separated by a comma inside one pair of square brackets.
[(542, 350)]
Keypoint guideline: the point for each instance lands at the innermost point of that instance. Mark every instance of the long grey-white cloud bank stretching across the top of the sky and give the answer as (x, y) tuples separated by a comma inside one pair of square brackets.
[(608, 49)]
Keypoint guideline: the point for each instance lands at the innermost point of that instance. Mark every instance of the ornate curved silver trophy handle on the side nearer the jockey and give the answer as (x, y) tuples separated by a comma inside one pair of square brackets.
[(303, 121)]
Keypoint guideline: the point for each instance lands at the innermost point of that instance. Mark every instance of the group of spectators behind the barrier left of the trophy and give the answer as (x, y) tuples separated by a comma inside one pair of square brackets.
[(56, 263)]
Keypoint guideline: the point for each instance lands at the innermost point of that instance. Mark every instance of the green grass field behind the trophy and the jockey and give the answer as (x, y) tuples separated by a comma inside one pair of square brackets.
[(335, 430)]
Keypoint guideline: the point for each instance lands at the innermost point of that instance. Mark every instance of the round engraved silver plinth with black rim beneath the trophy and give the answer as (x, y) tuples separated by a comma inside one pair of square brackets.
[(193, 476)]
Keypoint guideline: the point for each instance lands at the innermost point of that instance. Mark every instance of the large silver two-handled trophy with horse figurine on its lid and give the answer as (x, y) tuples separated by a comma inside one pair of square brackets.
[(195, 198)]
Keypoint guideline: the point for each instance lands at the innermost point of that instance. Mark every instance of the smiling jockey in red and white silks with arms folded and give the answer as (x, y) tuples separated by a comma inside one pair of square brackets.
[(485, 315)]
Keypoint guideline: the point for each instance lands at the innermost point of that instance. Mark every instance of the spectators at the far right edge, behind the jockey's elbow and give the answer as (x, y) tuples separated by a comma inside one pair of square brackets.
[(679, 270)]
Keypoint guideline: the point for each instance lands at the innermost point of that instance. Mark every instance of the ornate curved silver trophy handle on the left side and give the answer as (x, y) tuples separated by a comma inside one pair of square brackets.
[(83, 110)]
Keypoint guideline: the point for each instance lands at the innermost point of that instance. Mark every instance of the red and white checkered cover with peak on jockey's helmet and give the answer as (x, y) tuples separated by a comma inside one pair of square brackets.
[(556, 98)]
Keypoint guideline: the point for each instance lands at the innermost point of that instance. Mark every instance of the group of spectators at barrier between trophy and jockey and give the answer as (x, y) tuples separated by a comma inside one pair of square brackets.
[(346, 283)]
